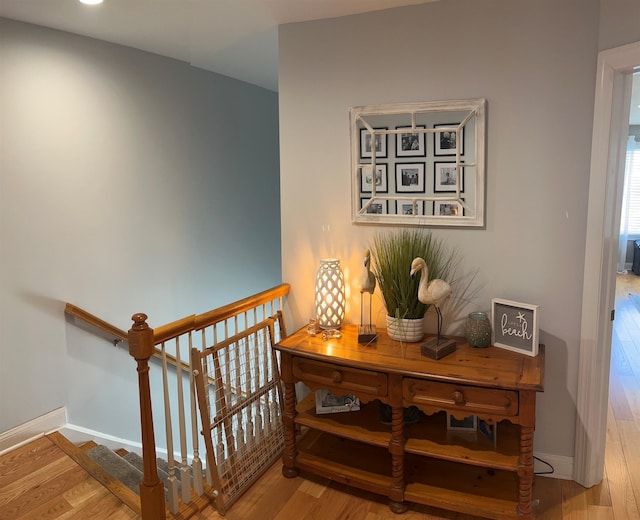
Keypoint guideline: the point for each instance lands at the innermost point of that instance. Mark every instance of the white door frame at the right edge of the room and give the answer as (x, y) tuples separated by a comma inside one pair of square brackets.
[(598, 293)]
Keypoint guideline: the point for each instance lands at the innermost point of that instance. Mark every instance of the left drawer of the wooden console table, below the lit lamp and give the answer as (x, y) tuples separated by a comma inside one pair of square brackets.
[(350, 379)]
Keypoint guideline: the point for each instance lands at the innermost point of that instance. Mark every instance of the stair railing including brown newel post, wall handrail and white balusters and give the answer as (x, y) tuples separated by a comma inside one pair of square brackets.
[(172, 344)]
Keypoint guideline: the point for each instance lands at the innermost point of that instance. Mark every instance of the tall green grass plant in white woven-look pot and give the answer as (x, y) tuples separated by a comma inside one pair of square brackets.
[(392, 254)]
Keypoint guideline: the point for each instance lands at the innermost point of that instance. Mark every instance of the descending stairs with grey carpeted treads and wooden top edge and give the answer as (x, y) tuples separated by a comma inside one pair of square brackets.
[(121, 473)]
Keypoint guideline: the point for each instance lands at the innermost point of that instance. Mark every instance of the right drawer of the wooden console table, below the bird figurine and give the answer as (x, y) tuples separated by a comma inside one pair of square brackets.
[(452, 397)]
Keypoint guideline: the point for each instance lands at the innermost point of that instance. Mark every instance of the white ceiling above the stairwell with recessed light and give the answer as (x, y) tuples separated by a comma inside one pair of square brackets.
[(237, 38)]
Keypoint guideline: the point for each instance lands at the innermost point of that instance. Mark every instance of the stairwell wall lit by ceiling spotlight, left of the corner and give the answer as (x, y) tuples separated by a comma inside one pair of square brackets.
[(129, 183)]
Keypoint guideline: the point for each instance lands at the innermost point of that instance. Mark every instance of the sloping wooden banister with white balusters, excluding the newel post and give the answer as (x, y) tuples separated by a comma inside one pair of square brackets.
[(201, 332)]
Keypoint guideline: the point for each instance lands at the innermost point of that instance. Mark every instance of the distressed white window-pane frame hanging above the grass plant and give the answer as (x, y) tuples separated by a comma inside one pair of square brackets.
[(408, 113)]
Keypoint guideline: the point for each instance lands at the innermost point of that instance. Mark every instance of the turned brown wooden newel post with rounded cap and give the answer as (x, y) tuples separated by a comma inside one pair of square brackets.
[(141, 347)]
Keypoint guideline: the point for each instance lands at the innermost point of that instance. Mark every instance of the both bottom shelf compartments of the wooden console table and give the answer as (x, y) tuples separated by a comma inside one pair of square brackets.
[(438, 483)]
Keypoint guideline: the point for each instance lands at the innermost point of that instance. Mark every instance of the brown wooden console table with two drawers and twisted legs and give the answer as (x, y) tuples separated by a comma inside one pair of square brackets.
[(422, 462)]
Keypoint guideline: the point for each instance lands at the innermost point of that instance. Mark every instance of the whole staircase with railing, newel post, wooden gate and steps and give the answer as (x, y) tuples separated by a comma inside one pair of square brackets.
[(220, 386)]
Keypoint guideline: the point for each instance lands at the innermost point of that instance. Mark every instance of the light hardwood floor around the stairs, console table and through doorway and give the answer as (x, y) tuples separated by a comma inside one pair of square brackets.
[(39, 481)]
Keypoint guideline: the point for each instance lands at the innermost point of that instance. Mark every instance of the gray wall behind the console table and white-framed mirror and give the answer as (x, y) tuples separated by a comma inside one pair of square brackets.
[(535, 63)]
